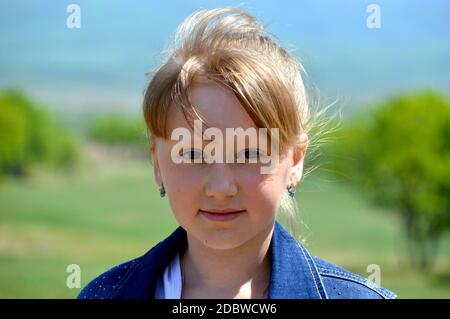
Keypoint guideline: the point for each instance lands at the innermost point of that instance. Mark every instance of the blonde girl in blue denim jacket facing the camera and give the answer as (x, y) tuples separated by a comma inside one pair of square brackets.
[(224, 72)]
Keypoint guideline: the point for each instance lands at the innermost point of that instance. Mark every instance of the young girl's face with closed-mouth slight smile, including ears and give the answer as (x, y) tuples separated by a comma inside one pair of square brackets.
[(195, 188)]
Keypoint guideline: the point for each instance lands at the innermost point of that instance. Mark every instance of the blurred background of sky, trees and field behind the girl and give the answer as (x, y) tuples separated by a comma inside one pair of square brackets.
[(76, 184)]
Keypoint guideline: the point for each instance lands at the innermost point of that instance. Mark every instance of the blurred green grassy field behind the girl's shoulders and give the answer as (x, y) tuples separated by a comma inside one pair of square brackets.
[(110, 211)]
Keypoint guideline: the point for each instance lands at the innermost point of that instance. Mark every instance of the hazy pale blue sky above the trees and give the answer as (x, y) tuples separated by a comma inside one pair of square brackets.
[(102, 65)]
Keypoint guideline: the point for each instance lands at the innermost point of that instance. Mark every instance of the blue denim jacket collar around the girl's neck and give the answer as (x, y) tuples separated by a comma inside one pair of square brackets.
[(294, 274)]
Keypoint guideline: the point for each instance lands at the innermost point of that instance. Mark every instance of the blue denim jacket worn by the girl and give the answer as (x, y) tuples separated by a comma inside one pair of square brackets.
[(295, 273)]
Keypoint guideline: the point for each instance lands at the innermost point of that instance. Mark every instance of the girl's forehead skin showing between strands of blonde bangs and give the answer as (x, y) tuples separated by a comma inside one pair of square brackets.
[(217, 104)]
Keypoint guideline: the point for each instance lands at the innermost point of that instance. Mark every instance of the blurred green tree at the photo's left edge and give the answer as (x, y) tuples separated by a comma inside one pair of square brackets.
[(28, 136)]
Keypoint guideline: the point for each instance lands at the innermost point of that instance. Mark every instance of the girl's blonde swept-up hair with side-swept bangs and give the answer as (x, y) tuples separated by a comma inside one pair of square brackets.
[(230, 47)]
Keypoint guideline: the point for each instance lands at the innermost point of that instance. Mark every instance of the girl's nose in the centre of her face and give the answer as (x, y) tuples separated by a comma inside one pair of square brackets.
[(221, 181)]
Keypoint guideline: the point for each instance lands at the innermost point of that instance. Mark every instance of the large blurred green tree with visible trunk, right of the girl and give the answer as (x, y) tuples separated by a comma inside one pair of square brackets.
[(399, 155)]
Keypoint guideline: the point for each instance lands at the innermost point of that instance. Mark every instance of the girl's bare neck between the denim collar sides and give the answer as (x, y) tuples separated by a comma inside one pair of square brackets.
[(241, 272)]
